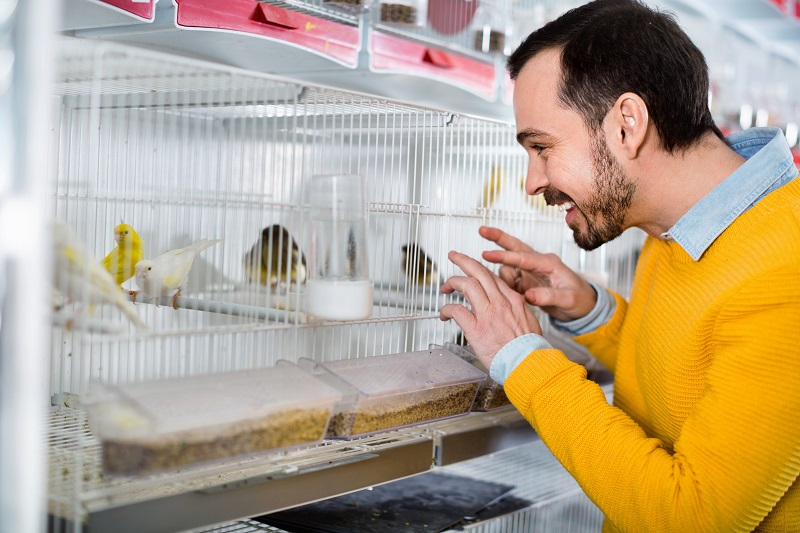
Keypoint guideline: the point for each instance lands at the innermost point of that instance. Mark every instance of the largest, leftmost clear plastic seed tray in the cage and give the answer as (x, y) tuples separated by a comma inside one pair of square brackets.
[(159, 425)]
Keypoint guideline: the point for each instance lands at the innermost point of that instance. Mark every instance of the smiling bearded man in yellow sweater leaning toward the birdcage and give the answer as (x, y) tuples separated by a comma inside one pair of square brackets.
[(611, 106)]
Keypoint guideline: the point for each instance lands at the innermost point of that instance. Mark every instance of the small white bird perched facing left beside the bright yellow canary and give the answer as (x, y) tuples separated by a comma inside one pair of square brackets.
[(166, 274)]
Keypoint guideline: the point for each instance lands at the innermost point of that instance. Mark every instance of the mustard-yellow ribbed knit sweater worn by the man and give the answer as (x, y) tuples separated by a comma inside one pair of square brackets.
[(704, 434)]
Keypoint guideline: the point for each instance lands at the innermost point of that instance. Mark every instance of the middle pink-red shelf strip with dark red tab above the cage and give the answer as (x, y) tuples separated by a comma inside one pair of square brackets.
[(334, 40)]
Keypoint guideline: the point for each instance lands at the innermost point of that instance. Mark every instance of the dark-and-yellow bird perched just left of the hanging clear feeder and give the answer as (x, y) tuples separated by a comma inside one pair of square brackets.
[(275, 259)]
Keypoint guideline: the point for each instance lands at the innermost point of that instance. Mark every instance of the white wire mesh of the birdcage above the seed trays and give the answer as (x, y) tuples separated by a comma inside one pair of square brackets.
[(183, 150)]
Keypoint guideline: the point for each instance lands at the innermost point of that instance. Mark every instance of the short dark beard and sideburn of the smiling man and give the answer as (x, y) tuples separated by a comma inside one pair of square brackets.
[(608, 203)]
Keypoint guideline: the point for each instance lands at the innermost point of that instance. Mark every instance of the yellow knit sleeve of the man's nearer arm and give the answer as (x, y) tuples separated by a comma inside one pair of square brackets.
[(737, 453)]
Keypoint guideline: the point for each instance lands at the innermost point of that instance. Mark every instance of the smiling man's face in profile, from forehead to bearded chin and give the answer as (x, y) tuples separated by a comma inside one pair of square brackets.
[(572, 167)]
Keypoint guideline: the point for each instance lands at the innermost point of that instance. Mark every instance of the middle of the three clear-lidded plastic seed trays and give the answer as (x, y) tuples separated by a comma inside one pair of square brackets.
[(397, 390)]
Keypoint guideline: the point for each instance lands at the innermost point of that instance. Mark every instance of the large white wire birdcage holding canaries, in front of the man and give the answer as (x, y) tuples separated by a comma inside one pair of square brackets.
[(181, 151)]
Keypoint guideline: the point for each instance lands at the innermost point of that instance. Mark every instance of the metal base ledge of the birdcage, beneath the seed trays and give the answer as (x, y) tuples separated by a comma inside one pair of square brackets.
[(224, 491)]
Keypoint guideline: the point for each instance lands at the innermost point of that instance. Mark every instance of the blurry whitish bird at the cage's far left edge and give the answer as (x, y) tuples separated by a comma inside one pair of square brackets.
[(78, 277)]
